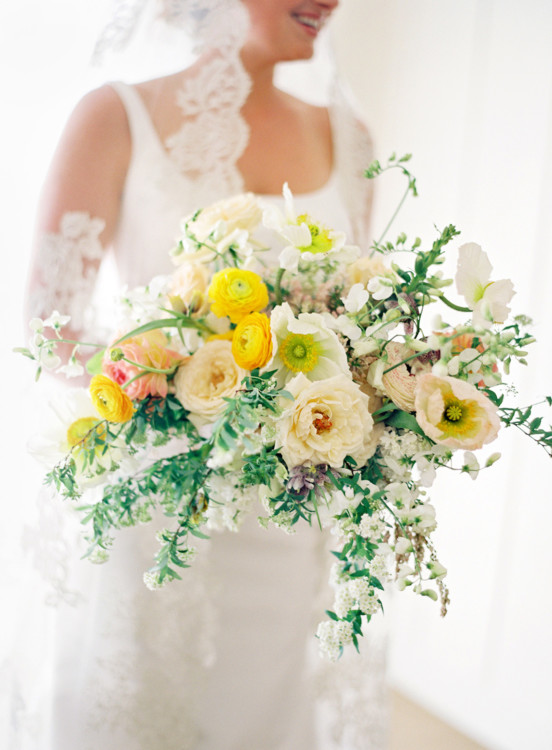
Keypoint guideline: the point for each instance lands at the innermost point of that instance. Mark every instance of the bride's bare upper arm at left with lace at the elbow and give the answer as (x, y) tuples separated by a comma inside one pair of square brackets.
[(79, 208)]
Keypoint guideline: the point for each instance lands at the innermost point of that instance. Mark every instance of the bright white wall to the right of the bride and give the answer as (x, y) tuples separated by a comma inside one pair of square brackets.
[(467, 88)]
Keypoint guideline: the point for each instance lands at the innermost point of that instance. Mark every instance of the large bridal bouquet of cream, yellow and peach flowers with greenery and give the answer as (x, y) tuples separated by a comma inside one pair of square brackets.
[(316, 387)]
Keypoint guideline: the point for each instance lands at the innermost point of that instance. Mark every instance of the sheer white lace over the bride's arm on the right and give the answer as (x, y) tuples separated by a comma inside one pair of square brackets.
[(354, 153)]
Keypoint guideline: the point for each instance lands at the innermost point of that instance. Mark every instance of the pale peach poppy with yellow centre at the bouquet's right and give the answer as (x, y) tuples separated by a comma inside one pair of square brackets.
[(455, 413)]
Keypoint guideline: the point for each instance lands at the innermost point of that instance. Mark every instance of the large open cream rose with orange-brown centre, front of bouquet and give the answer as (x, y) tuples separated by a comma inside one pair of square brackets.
[(328, 420)]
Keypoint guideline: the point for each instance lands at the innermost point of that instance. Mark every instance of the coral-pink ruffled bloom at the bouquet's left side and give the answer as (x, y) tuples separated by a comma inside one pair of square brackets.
[(147, 350)]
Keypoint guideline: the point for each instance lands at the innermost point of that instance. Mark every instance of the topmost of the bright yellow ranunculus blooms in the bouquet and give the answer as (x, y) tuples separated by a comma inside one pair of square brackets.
[(236, 293)]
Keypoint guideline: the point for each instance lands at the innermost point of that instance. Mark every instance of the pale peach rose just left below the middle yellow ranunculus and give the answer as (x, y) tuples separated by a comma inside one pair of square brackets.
[(207, 378)]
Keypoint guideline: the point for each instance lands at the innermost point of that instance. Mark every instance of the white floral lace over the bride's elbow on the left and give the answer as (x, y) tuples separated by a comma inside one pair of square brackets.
[(65, 269)]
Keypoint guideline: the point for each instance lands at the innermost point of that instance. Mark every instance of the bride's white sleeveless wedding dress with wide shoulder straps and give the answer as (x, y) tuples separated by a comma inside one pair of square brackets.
[(226, 659)]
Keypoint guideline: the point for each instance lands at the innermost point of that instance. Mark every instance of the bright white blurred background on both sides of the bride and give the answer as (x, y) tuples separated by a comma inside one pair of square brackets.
[(467, 88)]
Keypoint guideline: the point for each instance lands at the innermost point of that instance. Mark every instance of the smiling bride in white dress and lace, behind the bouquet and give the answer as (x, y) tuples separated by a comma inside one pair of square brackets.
[(225, 659)]
